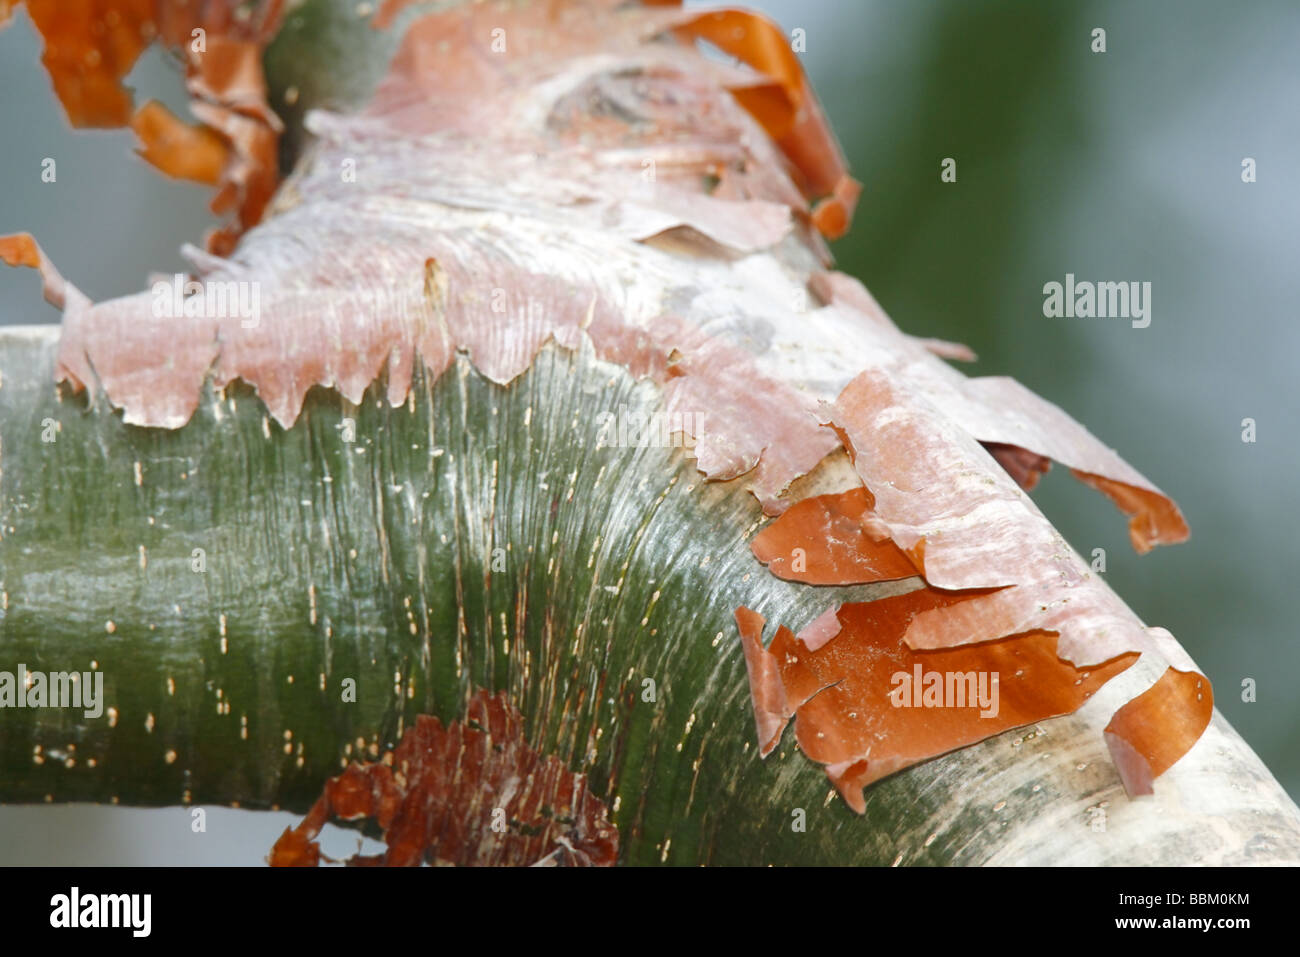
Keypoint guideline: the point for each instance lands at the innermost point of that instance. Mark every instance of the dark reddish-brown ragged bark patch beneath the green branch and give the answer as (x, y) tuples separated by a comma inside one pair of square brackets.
[(471, 794)]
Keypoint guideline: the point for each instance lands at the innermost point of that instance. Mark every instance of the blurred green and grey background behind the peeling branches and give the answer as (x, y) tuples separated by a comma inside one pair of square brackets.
[(1124, 166)]
